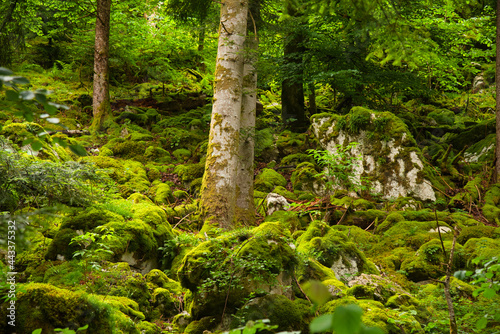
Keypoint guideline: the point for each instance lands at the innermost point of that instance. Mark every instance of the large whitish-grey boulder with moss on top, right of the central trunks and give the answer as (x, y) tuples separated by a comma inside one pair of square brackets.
[(390, 156)]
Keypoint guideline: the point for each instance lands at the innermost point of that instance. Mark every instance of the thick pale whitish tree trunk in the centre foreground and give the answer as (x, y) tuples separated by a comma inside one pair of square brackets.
[(218, 188)]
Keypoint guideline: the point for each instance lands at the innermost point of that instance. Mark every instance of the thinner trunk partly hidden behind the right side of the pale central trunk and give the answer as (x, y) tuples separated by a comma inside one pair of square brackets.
[(245, 207)]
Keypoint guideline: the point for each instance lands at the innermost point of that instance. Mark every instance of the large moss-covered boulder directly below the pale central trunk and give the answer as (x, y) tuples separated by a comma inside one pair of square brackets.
[(223, 271)]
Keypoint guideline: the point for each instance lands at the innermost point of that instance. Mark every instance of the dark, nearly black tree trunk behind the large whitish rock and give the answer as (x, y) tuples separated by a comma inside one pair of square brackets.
[(292, 89)]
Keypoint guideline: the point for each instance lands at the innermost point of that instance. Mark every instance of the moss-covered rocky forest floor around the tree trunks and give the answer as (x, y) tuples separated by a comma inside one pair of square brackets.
[(127, 254)]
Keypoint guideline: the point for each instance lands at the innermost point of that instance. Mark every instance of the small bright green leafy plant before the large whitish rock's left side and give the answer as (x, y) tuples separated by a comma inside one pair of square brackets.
[(339, 168)]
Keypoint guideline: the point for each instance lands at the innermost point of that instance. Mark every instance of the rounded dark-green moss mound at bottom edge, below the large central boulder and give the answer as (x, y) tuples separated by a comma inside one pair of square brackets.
[(278, 309)]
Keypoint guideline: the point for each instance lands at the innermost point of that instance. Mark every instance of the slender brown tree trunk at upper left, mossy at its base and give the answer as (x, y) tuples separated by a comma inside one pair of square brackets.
[(101, 104)]
